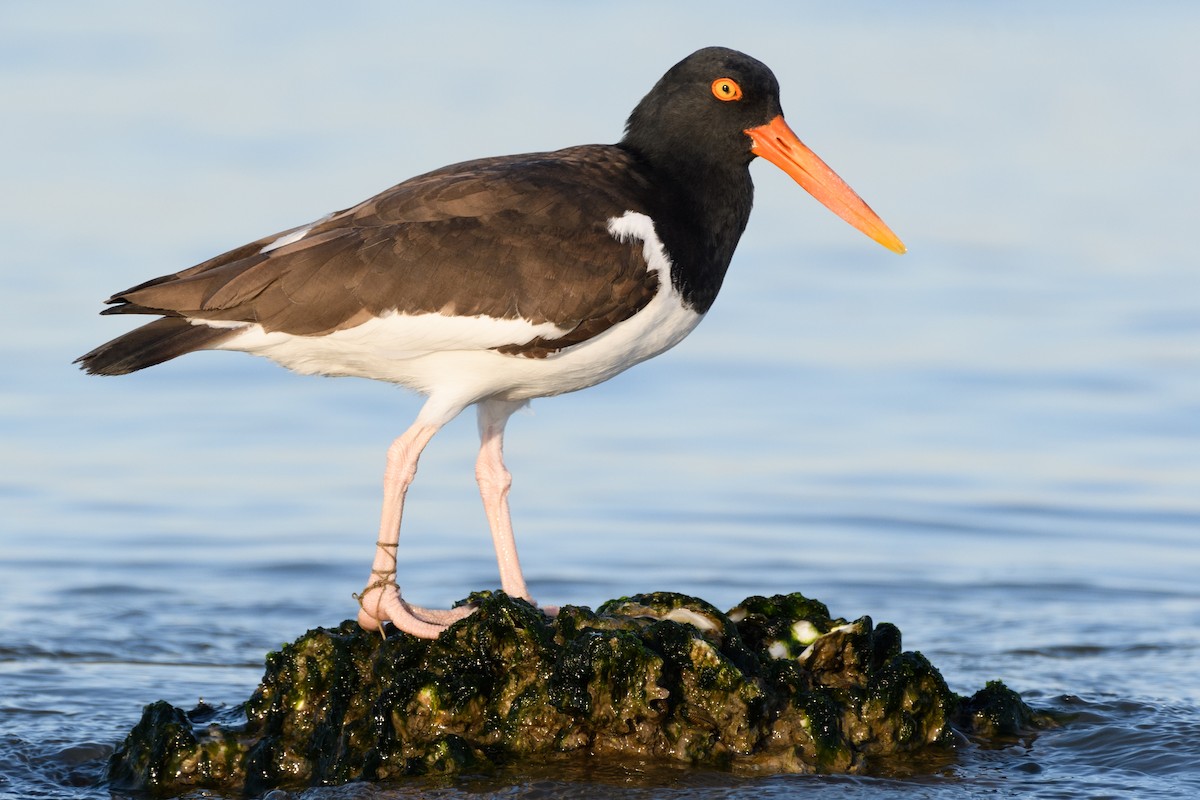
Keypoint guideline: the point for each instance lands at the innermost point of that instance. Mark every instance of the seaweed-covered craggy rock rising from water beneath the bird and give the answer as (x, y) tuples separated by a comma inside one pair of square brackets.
[(775, 685)]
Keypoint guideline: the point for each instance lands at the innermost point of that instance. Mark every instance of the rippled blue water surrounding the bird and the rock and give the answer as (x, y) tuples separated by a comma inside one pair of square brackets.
[(993, 442)]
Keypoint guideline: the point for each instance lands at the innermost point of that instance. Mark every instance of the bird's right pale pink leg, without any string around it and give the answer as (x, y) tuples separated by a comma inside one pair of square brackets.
[(495, 482)]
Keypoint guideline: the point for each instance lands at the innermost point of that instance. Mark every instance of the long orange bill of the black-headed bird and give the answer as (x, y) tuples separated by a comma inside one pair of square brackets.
[(777, 143)]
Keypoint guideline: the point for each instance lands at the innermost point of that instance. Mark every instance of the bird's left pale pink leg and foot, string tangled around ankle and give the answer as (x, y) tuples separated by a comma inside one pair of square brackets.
[(381, 601)]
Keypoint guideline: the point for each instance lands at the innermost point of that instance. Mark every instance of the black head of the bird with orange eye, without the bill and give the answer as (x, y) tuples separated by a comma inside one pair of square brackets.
[(699, 112)]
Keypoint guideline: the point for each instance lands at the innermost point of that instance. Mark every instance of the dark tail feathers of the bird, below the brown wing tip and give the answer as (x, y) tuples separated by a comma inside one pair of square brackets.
[(145, 347)]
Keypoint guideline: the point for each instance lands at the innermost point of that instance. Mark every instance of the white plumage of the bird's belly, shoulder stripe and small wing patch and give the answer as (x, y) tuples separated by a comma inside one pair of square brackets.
[(453, 359)]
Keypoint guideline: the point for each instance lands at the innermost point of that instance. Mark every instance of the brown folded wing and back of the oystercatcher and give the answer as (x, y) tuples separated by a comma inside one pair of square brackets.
[(520, 237)]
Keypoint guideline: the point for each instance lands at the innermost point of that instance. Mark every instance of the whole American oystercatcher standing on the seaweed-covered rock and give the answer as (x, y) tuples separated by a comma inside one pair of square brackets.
[(496, 281)]
